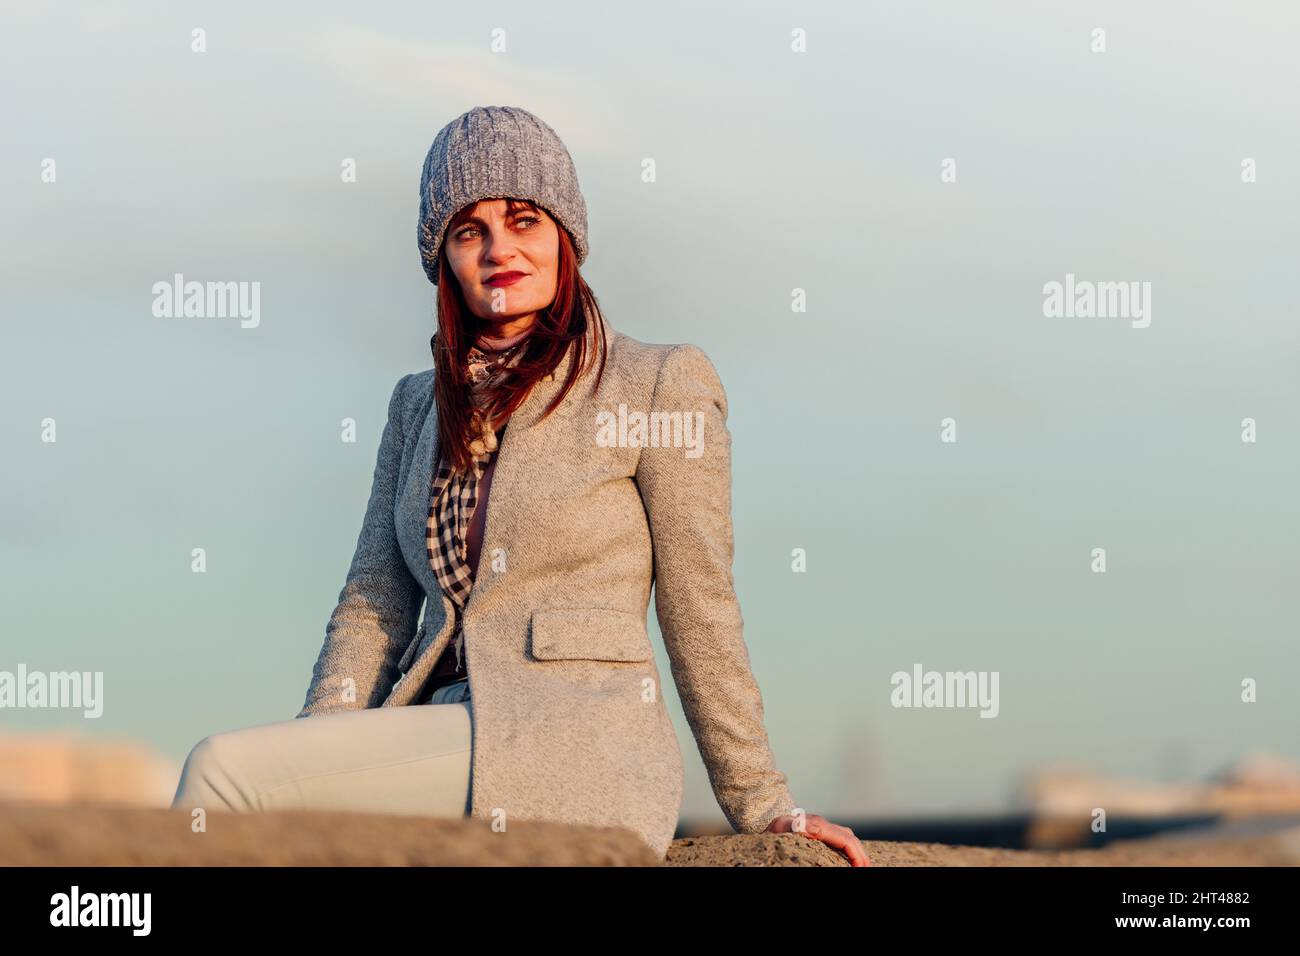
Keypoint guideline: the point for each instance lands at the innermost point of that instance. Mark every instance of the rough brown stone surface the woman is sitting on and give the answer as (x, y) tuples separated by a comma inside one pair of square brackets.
[(97, 836)]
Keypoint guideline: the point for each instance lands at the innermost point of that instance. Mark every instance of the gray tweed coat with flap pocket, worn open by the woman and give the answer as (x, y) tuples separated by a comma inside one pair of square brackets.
[(569, 719)]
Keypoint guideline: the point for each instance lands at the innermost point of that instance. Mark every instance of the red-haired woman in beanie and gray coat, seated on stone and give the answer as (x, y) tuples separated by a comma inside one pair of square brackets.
[(575, 469)]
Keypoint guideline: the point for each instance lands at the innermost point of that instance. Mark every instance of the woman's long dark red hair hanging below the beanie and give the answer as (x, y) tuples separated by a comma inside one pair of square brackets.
[(560, 326)]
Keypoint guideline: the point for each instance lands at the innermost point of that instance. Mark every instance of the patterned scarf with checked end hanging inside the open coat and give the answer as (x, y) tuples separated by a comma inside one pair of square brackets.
[(454, 495)]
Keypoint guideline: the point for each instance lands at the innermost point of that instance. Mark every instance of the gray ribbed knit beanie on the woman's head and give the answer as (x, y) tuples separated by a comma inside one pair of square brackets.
[(492, 153)]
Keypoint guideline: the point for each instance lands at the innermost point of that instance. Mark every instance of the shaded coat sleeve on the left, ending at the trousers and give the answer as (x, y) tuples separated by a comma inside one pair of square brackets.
[(380, 603)]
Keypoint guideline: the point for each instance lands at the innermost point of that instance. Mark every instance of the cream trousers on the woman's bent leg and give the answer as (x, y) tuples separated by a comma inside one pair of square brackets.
[(413, 760)]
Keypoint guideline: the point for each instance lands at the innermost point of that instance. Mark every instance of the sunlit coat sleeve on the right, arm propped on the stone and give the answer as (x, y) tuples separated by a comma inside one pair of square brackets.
[(688, 504)]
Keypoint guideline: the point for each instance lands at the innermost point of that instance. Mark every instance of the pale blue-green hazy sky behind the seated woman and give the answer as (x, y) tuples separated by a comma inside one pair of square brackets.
[(829, 171)]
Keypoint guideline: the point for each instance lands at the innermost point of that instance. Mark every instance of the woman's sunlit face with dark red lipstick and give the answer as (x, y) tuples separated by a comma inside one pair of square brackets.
[(506, 263)]
